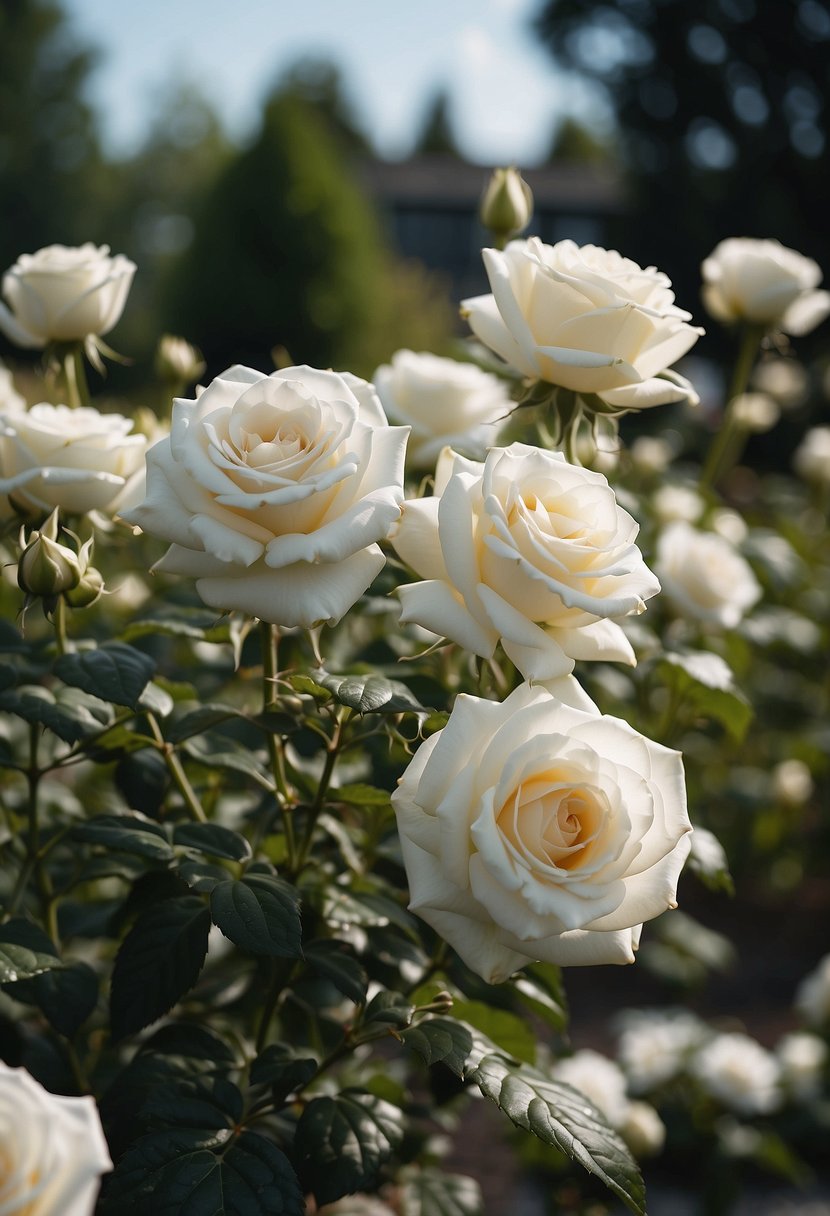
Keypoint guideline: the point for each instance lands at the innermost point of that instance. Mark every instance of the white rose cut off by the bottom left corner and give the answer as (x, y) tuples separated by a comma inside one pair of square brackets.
[(53, 1151)]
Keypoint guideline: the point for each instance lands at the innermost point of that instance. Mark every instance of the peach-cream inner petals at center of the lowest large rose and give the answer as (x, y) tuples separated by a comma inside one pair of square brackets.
[(555, 821)]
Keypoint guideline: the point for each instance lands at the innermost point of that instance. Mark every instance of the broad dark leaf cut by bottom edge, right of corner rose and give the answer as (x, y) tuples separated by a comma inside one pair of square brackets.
[(178, 1174)]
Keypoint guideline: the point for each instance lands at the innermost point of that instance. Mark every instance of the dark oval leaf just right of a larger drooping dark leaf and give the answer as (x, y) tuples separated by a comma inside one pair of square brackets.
[(259, 914)]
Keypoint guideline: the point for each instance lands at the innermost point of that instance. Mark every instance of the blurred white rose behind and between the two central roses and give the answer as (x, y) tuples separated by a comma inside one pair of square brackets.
[(444, 402)]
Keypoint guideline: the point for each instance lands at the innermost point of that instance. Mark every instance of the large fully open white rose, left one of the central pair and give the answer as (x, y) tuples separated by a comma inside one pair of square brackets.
[(274, 491)]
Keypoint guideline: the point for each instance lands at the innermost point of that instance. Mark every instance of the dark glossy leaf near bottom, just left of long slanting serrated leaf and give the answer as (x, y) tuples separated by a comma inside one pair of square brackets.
[(343, 1141)]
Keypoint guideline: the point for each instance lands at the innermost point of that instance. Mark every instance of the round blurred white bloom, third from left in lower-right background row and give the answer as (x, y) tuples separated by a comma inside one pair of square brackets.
[(739, 1073)]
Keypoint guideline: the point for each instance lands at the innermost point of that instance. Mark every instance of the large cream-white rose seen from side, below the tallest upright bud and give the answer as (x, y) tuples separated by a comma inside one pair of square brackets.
[(585, 319)]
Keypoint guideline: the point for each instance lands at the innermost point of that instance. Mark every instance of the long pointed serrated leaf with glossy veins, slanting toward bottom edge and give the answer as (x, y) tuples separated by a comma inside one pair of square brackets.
[(564, 1118)]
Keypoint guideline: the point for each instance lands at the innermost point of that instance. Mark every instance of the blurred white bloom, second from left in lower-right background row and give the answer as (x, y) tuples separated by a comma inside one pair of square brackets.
[(656, 1045)]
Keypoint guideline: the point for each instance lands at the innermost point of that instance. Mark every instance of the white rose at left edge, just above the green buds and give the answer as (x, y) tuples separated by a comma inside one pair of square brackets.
[(77, 460)]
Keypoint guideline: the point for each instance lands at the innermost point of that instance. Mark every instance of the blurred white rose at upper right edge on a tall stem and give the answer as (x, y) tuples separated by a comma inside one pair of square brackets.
[(765, 284)]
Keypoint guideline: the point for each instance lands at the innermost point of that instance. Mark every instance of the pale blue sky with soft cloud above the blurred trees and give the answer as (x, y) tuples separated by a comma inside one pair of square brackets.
[(505, 92)]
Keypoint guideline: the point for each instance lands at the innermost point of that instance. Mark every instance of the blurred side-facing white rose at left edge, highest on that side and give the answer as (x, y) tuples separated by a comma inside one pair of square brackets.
[(65, 295)]
